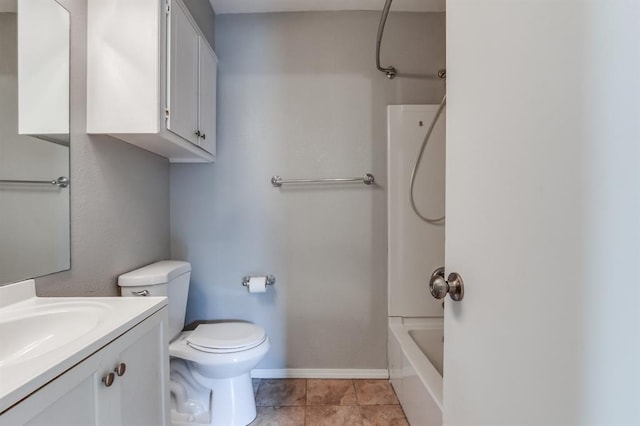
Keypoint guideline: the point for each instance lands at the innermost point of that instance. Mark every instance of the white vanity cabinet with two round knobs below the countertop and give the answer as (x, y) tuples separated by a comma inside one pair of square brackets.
[(81, 396)]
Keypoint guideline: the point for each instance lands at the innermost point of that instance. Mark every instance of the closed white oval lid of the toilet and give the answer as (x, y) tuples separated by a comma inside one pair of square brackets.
[(226, 336)]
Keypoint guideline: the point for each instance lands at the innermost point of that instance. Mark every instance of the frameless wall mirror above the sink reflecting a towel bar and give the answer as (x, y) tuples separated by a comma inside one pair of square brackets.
[(34, 139)]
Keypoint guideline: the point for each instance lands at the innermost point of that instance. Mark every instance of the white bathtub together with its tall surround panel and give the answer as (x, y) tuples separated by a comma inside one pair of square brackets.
[(416, 249)]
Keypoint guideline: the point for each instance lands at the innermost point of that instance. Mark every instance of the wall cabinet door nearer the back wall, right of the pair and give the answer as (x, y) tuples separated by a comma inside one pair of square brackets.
[(207, 98)]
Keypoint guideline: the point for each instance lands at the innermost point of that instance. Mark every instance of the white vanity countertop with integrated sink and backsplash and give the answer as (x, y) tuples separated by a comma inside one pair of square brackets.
[(42, 337)]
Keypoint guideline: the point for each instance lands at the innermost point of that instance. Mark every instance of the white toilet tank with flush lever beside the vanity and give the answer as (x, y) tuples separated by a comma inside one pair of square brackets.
[(168, 278)]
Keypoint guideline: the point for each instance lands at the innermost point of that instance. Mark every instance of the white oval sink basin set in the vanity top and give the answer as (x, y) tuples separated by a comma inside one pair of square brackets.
[(34, 331)]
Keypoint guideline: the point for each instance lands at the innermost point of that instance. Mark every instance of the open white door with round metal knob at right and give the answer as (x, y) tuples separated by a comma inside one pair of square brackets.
[(543, 212)]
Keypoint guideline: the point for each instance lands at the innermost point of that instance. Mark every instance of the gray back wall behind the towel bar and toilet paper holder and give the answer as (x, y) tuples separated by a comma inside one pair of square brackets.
[(299, 96)]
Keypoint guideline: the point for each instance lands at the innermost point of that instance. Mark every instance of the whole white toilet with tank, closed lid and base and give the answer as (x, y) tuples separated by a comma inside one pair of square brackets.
[(211, 365)]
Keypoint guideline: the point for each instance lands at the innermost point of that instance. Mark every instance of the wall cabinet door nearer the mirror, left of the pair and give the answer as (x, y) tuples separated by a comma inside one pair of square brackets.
[(183, 76)]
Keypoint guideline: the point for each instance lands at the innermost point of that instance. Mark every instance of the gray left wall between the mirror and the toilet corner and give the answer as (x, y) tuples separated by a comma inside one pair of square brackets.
[(119, 196)]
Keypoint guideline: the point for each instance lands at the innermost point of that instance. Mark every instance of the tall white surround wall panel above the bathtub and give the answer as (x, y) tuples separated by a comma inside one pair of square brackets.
[(416, 248)]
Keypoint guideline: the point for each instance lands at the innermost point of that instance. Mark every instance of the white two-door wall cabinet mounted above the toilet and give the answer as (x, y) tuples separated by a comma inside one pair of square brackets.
[(151, 78)]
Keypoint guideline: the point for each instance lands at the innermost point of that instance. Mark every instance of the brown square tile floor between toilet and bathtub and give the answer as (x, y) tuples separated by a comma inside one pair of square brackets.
[(316, 402)]
